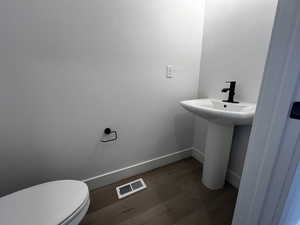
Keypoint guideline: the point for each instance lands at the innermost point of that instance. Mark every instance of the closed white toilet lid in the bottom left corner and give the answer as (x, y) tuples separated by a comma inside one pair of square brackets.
[(45, 204)]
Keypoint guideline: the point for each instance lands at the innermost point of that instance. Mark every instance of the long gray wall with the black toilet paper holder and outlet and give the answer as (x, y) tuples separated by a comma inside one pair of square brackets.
[(70, 68)]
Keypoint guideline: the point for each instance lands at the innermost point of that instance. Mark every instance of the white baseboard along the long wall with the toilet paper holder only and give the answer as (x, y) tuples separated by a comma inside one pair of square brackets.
[(138, 168)]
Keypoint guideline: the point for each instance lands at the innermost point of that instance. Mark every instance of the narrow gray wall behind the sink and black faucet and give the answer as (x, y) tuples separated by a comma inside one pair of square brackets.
[(235, 44)]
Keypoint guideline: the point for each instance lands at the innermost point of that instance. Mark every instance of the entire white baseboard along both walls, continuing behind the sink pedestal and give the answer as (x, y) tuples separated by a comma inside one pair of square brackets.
[(138, 168)]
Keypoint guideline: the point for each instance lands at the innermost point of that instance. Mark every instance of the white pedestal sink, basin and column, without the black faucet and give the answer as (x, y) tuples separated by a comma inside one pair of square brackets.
[(222, 117)]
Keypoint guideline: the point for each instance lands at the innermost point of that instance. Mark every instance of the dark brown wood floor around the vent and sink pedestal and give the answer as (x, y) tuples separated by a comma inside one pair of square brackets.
[(175, 196)]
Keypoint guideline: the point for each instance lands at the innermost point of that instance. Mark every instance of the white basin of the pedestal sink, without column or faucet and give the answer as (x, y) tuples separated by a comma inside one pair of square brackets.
[(221, 112)]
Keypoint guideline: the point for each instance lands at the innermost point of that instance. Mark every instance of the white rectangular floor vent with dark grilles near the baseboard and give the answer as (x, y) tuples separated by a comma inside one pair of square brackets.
[(130, 188)]
